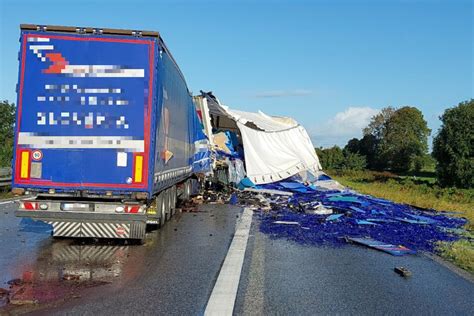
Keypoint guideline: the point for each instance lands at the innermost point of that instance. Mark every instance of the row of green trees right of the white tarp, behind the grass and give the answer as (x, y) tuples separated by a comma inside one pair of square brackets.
[(397, 140)]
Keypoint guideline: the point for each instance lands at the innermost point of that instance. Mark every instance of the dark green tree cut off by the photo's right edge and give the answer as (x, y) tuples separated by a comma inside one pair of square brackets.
[(453, 146)]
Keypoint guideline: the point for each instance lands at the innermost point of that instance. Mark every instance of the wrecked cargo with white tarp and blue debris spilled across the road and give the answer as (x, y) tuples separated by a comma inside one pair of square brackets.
[(273, 156)]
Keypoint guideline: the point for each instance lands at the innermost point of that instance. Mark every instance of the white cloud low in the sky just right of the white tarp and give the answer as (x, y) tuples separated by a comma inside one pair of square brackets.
[(342, 127)]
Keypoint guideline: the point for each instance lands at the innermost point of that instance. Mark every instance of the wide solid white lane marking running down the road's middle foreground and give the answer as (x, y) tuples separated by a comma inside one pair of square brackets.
[(223, 295)]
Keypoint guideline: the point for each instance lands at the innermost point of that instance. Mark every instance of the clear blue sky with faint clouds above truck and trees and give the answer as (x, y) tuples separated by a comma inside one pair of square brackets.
[(331, 65)]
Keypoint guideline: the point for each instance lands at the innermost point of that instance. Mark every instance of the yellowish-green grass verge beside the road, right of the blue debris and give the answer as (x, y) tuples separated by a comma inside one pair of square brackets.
[(420, 190)]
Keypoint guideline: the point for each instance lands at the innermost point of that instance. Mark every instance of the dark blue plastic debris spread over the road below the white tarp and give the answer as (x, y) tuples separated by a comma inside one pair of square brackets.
[(419, 230)]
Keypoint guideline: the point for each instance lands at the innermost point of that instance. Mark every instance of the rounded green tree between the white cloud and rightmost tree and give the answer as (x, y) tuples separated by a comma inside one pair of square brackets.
[(404, 140)]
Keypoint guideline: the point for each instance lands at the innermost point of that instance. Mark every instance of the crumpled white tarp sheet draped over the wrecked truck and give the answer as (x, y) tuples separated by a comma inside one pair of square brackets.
[(278, 149)]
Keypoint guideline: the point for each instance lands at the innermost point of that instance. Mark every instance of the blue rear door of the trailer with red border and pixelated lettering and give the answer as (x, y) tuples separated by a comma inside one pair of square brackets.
[(84, 111)]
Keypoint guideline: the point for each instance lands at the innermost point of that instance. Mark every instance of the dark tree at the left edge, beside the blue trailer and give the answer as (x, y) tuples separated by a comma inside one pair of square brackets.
[(7, 122)]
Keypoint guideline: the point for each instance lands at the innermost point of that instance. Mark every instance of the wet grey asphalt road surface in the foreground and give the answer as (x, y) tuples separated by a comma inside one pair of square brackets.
[(175, 271)]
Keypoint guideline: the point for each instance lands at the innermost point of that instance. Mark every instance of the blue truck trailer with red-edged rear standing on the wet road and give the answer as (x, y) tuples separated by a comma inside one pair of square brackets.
[(107, 135)]
